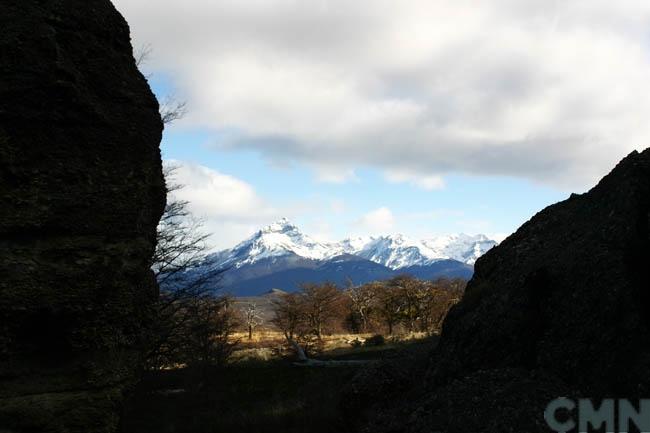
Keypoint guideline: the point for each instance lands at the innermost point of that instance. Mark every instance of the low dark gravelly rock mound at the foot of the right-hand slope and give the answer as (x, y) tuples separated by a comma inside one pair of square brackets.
[(487, 401)]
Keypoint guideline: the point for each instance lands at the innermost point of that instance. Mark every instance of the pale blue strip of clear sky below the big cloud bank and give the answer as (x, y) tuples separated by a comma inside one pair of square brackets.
[(493, 205)]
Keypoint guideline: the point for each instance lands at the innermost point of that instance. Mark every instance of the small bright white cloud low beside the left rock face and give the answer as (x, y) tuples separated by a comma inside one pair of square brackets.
[(229, 207)]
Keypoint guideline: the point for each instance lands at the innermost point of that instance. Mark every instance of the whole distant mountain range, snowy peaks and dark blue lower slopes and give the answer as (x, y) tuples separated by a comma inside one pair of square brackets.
[(280, 256)]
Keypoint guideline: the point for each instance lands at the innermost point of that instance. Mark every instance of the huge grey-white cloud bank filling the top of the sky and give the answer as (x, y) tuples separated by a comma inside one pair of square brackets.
[(555, 92)]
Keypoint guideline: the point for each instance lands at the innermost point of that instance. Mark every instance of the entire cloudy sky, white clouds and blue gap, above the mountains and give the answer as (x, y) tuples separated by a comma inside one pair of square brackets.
[(372, 117)]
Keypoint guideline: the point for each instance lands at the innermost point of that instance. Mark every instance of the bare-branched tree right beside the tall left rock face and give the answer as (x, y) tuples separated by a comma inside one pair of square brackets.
[(188, 292)]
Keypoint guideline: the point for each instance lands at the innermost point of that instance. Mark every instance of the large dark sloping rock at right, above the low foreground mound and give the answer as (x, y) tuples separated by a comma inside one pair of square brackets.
[(568, 293)]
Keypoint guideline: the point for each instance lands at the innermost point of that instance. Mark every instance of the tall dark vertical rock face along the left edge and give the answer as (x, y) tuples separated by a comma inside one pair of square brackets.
[(82, 190)]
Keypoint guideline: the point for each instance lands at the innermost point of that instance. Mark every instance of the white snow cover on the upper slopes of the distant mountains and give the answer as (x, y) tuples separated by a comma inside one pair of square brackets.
[(394, 251)]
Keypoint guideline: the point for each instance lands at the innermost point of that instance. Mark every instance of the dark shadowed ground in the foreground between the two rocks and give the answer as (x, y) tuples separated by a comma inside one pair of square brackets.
[(273, 396)]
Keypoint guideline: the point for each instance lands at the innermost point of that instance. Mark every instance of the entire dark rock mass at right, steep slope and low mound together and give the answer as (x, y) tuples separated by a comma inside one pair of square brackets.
[(560, 308)]
